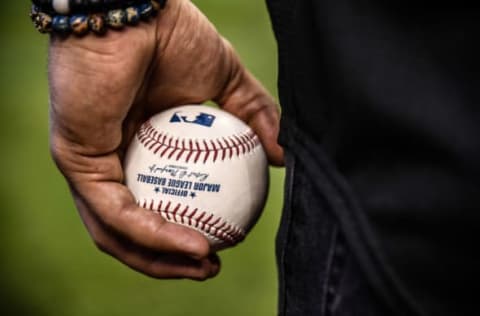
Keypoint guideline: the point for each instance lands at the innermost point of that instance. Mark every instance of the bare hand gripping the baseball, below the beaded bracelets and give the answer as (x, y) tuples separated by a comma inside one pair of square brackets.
[(103, 88)]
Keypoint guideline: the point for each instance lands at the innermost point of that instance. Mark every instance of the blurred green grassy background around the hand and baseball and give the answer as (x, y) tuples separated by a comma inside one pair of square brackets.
[(48, 264)]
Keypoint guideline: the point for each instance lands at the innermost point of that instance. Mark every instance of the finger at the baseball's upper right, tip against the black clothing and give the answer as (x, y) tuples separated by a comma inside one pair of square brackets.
[(246, 98)]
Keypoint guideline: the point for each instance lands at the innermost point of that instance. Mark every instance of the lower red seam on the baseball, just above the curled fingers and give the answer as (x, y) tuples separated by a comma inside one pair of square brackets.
[(219, 229)]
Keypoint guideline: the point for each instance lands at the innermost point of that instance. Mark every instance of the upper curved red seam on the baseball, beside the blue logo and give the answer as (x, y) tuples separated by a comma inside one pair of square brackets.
[(211, 150)]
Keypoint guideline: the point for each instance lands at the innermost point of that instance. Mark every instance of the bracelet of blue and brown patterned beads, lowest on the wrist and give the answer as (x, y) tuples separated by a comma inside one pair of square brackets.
[(80, 24)]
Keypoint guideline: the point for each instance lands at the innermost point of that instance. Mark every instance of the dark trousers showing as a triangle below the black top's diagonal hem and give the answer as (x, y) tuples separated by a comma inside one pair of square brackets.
[(318, 274)]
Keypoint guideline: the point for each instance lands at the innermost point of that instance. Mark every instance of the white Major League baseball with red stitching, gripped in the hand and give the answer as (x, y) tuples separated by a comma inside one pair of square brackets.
[(200, 167)]
